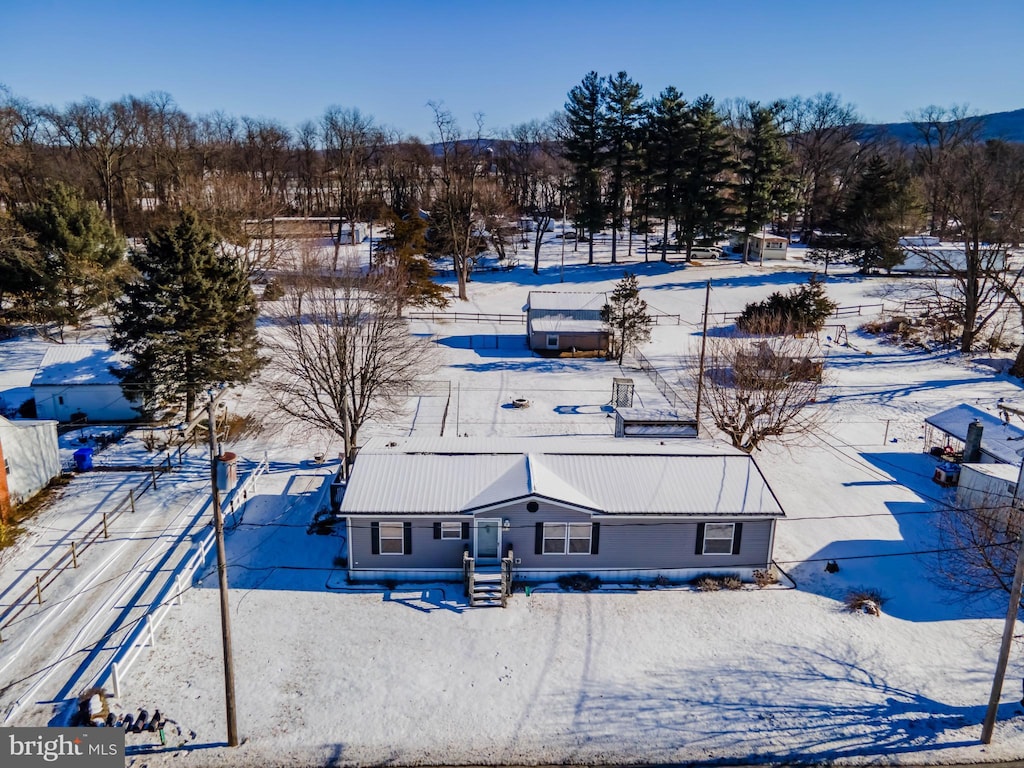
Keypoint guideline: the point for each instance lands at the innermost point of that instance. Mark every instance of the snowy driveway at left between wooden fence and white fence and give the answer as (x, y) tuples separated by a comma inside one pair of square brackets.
[(55, 651)]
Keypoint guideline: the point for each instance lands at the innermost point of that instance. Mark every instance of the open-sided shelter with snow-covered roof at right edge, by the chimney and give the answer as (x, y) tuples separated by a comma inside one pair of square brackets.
[(947, 433)]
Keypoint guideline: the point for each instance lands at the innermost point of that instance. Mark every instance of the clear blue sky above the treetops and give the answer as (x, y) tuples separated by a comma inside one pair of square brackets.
[(514, 62)]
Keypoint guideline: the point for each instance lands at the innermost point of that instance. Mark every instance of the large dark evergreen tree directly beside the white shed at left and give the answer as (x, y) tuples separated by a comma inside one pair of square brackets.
[(188, 322)]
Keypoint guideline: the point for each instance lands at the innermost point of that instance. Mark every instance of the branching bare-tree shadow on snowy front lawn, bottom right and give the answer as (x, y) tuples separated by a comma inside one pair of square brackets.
[(812, 708)]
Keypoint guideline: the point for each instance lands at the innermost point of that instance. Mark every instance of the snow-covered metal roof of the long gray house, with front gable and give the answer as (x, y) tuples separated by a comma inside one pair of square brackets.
[(612, 477)]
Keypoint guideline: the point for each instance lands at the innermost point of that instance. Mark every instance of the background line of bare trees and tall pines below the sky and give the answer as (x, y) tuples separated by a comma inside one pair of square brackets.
[(76, 182)]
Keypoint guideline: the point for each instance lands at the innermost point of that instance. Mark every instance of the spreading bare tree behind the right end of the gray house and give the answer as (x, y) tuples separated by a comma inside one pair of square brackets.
[(760, 387)]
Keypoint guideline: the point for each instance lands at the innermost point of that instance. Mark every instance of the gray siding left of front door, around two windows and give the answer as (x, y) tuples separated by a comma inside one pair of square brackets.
[(428, 551)]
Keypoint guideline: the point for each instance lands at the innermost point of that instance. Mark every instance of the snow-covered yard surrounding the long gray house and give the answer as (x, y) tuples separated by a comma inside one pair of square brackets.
[(330, 674)]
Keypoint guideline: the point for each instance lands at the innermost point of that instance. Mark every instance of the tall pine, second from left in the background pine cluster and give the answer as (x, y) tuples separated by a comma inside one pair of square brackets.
[(623, 113)]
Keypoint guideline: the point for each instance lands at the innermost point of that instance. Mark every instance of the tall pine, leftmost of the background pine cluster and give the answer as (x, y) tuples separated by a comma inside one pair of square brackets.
[(585, 149)]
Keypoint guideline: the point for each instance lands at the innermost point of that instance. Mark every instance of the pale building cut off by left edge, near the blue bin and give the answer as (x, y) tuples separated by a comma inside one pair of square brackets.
[(29, 459)]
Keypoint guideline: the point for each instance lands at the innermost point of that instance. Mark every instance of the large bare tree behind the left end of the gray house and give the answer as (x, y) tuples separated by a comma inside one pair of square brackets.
[(342, 354)]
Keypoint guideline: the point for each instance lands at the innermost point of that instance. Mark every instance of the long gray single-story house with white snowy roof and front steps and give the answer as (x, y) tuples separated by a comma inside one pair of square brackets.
[(421, 509)]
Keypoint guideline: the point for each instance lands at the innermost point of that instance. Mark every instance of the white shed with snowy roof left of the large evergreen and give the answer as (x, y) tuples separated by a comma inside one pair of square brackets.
[(75, 385)]
